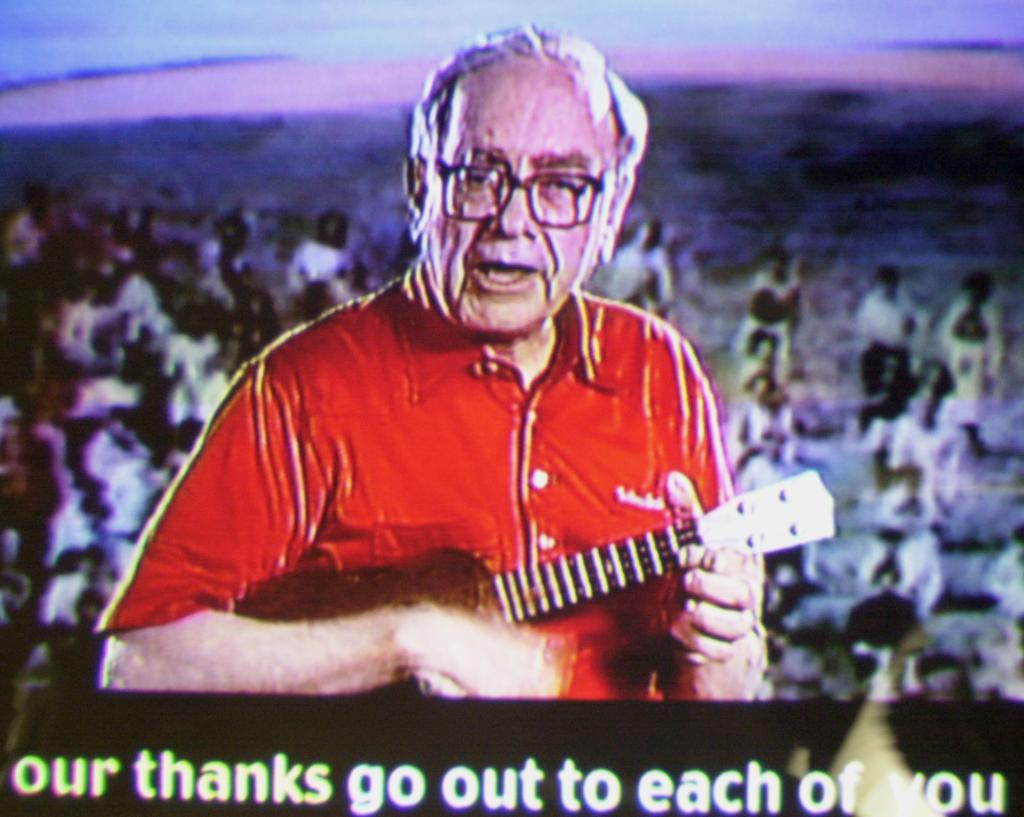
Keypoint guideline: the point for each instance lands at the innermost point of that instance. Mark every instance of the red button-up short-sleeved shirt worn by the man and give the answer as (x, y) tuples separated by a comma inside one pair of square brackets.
[(385, 432)]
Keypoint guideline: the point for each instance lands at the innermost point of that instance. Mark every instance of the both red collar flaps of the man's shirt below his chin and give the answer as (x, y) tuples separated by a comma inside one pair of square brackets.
[(438, 351)]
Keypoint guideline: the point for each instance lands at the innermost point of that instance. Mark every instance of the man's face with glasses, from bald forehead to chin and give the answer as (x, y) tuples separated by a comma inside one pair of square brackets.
[(506, 275)]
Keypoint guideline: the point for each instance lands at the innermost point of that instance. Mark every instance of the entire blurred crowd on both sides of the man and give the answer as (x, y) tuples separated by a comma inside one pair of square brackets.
[(120, 332)]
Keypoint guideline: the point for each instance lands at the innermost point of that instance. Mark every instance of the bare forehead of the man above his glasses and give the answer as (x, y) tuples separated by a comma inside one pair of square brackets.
[(523, 108)]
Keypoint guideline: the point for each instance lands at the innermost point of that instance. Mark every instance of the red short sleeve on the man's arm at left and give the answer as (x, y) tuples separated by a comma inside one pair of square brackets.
[(244, 510)]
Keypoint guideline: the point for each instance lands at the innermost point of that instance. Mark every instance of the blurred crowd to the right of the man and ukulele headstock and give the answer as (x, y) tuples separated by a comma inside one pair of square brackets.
[(922, 594)]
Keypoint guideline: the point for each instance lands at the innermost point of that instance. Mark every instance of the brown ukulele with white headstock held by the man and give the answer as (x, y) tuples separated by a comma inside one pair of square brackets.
[(787, 514)]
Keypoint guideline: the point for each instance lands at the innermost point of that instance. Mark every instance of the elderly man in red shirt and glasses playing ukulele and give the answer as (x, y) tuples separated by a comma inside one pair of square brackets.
[(481, 405)]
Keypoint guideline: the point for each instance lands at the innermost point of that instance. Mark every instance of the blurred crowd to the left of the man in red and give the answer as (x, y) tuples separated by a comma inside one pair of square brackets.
[(119, 335)]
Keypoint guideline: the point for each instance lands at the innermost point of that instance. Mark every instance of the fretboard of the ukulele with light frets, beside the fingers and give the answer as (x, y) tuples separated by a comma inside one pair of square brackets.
[(549, 587)]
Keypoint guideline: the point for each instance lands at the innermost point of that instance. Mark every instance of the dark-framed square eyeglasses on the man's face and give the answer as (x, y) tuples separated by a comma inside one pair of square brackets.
[(480, 193)]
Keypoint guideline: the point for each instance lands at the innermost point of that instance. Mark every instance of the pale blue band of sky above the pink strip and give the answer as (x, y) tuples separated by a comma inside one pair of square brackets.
[(53, 38)]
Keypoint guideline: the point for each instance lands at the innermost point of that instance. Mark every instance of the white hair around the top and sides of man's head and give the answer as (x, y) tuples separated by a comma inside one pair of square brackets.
[(607, 94)]
